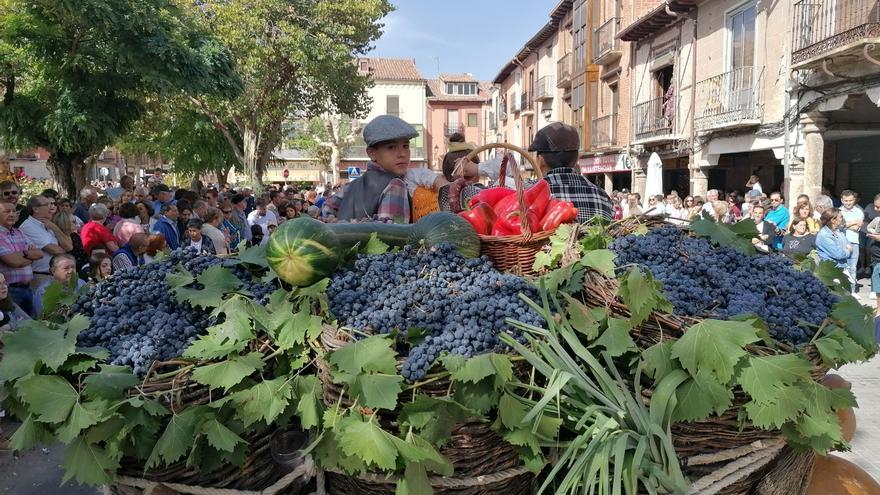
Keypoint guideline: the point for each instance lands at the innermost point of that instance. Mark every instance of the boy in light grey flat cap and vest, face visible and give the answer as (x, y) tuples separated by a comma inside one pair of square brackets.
[(382, 190)]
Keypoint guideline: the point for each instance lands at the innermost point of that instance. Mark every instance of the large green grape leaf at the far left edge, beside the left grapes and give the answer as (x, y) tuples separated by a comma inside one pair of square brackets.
[(36, 342)]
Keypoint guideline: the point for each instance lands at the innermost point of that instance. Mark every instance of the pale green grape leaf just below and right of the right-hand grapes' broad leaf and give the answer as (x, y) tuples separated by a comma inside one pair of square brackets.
[(766, 378)]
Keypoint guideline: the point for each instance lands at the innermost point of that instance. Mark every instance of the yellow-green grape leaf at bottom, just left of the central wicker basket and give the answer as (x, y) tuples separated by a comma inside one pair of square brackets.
[(366, 441)]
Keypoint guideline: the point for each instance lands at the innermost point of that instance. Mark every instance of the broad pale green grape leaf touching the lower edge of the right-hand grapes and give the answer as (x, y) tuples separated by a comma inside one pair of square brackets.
[(714, 346)]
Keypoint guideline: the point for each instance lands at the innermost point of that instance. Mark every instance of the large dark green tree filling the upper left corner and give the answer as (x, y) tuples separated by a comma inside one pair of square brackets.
[(76, 73)]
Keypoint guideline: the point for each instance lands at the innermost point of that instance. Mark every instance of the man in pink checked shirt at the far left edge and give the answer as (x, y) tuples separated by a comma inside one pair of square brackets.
[(17, 254)]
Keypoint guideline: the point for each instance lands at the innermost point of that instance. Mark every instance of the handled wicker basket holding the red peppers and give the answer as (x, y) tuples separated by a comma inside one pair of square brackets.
[(514, 254)]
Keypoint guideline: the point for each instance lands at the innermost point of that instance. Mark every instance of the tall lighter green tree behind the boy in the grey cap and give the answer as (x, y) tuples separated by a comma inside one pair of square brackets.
[(295, 58)]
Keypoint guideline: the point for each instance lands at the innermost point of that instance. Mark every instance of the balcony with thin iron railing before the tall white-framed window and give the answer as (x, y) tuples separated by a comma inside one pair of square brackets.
[(729, 100)]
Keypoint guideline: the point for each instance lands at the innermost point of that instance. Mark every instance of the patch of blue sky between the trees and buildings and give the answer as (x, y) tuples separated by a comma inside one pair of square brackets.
[(476, 36)]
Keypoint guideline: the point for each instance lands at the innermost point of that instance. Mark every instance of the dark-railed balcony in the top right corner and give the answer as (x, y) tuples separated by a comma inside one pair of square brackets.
[(833, 28)]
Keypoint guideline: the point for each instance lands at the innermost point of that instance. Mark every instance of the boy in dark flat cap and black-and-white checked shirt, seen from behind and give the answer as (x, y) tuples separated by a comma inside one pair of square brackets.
[(557, 148)]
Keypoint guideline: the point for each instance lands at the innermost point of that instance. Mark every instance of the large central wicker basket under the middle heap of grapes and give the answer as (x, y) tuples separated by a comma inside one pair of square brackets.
[(483, 462)]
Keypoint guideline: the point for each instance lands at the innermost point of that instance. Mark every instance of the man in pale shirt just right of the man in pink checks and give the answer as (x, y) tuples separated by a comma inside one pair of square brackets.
[(45, 235)]
